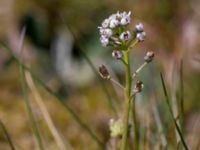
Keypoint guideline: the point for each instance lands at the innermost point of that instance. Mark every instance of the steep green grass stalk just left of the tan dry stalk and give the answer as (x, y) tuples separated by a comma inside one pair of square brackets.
[(29, 109)]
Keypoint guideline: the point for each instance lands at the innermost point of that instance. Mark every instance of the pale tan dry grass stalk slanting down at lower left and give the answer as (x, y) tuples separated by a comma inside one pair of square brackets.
[(47, 117)]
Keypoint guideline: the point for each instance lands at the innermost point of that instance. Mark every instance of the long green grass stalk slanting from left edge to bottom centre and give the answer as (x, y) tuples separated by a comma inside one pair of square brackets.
[(67, 108)]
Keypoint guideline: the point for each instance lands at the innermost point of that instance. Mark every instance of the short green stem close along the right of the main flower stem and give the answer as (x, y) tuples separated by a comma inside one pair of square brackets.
[(134, 124)]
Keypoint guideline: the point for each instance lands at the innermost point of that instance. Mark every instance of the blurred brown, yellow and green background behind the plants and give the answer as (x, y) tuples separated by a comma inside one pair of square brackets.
[(60, 37)]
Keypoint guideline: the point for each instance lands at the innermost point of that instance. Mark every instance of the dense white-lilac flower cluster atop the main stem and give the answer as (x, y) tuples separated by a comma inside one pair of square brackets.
[(108, 31)]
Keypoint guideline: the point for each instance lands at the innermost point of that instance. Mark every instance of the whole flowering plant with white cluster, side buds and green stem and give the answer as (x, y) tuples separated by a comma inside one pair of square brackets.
[(114, 33)]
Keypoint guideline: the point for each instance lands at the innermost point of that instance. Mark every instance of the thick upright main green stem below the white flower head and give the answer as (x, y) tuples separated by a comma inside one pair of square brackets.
[(127, 92)]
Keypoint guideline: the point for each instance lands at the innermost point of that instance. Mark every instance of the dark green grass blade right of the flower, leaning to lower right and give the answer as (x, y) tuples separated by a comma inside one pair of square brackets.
[(171, 113)]
